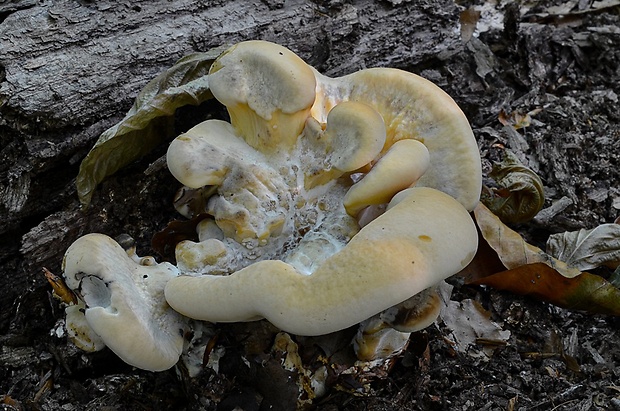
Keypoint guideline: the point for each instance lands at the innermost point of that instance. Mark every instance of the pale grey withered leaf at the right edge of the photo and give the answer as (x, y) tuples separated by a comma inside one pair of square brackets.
[(587, 249)]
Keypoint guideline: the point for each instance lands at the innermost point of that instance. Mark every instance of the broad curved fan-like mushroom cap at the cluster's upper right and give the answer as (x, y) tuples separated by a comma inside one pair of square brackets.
[(414, 108)]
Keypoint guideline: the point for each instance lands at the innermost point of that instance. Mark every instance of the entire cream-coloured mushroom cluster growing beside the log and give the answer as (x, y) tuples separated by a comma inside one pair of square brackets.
[(334, 201)]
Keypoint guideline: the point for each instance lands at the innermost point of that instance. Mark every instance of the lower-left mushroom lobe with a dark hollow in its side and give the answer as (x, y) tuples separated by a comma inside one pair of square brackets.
[(124, 302)]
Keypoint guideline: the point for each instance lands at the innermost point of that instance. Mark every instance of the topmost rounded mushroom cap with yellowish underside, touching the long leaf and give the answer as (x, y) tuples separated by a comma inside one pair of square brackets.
[(268, 91)]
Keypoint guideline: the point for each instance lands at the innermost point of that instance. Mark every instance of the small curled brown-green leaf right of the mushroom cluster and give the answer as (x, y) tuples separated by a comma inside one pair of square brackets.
[(519, 195)]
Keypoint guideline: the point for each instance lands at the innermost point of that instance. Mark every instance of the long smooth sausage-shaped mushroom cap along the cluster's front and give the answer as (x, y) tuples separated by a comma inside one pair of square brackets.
[(423, 238)]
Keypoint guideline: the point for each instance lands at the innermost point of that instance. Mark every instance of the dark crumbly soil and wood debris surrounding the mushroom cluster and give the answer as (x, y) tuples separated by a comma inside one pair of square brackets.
[(566, 66)]
